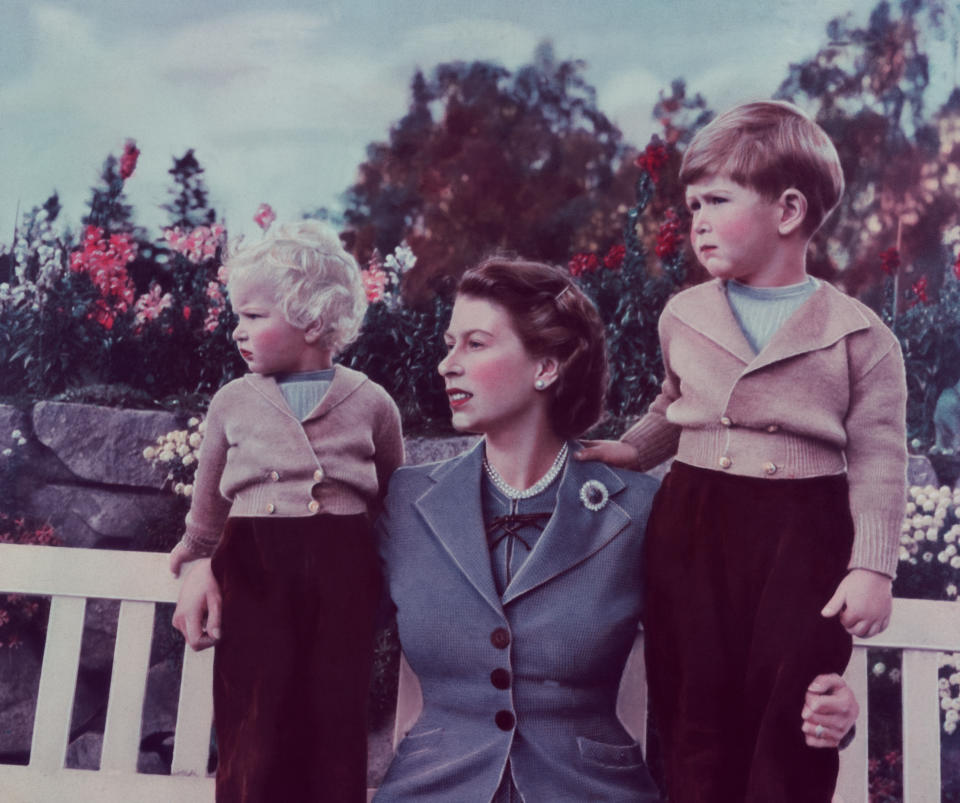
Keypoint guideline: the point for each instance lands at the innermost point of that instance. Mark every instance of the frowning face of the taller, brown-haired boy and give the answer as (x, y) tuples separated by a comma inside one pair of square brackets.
[(734, 231)]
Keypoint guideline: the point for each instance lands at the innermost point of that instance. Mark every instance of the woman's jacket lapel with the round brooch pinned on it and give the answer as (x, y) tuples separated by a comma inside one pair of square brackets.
[(574, 532)]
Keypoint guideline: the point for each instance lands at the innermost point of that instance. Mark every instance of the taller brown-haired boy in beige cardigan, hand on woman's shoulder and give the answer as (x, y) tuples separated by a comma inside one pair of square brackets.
[(775, 533)]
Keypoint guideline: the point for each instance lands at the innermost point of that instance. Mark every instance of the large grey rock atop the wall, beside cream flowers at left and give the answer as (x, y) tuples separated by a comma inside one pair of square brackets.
[(102, 444)]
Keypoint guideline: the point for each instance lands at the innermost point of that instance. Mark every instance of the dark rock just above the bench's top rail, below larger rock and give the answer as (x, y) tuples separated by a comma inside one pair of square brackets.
[(87, 516)]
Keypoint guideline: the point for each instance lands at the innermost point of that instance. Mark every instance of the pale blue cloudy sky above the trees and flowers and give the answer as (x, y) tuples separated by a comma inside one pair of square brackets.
[(279, 99)]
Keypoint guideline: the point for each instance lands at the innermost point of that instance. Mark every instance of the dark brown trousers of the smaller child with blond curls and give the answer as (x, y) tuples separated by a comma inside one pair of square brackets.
[(292, 670)]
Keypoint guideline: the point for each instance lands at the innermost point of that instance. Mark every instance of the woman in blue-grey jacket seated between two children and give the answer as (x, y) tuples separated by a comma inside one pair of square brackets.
[(515, 571)]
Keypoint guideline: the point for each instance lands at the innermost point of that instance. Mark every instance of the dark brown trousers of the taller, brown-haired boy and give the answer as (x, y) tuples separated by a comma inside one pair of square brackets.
[(738, 569)]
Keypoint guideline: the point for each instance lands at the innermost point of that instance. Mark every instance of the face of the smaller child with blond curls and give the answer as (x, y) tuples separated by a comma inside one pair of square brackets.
[(267, 341)]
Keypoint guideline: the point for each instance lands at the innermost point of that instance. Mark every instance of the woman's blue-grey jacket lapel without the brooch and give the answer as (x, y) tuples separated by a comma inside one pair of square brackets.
[(453, 511)]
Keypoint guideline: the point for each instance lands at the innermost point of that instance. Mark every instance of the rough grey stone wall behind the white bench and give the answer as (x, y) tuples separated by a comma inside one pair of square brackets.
[(81, 468)]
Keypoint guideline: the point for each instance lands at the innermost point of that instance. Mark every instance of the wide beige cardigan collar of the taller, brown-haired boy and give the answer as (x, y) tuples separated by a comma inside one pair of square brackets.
[(828, 316)]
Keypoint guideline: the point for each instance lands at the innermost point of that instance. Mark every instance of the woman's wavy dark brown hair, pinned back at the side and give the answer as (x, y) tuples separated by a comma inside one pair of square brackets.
[(554, 318)]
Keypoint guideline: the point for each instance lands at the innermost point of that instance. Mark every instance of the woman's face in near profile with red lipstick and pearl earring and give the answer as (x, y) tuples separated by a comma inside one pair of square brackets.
[(488, 372)]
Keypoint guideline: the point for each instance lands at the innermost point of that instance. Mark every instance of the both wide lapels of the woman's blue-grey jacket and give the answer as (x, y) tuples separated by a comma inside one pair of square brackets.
[(452, 509)]
